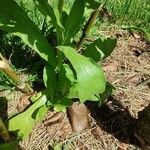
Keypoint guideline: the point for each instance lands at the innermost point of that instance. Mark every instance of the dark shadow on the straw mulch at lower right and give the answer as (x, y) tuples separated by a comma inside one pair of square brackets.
[(117, 121)]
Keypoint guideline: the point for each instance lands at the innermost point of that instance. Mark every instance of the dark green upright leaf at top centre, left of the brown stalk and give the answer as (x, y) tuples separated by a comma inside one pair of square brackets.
[(74, 19)]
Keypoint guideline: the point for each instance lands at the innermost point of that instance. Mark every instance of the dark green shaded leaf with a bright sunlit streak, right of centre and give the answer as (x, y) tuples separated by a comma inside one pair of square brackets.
[(101, 48)]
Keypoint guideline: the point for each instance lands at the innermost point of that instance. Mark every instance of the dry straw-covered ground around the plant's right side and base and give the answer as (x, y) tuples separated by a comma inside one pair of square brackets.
[(113, 124)]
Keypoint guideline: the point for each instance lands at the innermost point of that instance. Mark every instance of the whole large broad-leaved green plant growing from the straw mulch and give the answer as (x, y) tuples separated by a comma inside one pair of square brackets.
[(71, 72)]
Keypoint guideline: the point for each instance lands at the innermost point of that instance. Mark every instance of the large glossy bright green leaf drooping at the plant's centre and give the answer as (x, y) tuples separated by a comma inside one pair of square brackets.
[(90, 76)]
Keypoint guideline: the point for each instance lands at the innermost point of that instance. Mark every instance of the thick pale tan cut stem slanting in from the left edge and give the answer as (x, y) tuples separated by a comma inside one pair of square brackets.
[(4, 66)]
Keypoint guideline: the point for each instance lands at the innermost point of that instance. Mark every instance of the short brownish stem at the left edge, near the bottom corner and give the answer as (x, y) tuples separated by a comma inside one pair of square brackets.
[(3, 131)]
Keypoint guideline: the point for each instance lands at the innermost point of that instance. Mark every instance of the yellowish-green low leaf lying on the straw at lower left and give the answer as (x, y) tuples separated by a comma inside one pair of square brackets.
[(23, 123)]
